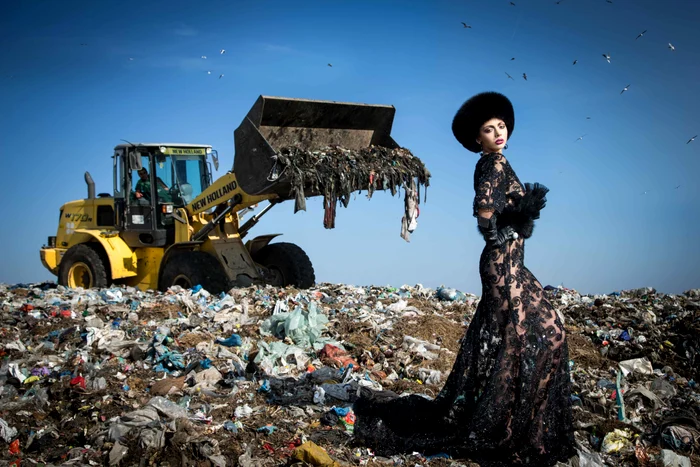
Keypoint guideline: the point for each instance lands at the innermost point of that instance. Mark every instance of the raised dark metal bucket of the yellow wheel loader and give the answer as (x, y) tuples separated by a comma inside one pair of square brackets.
[(276, 122)]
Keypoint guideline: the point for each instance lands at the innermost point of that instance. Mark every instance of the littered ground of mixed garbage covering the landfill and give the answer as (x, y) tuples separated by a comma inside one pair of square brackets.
[(268, 376)]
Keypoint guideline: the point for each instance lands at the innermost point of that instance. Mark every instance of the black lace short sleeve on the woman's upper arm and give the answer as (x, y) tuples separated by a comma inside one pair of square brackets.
[(488, 184)]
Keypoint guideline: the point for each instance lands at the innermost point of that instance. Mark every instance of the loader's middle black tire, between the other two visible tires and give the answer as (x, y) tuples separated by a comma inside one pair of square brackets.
[(190, 268)]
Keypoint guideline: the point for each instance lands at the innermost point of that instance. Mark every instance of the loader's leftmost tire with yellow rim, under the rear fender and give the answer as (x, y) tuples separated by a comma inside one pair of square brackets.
[(82, 266)]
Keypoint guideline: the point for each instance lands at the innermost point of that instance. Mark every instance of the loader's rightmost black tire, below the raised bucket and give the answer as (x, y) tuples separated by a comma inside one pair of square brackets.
[(289, 263)]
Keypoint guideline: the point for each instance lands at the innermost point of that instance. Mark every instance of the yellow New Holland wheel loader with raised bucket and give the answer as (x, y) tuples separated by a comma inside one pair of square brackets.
[(168, 223)]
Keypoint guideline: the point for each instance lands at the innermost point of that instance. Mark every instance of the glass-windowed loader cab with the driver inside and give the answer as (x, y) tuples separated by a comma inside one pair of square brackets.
[(150, 182)]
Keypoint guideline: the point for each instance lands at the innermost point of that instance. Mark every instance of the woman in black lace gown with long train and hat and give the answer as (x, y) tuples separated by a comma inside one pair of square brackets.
[(507, 399)]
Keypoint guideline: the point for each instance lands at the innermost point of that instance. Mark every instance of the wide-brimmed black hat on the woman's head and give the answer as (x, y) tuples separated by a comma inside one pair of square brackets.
[(478, 110)]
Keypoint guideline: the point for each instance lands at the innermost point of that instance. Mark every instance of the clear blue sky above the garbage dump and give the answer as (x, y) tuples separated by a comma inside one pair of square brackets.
[(140, 77)]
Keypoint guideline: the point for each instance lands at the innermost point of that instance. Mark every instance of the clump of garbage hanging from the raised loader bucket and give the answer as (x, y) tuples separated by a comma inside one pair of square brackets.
[(335, 172)]
